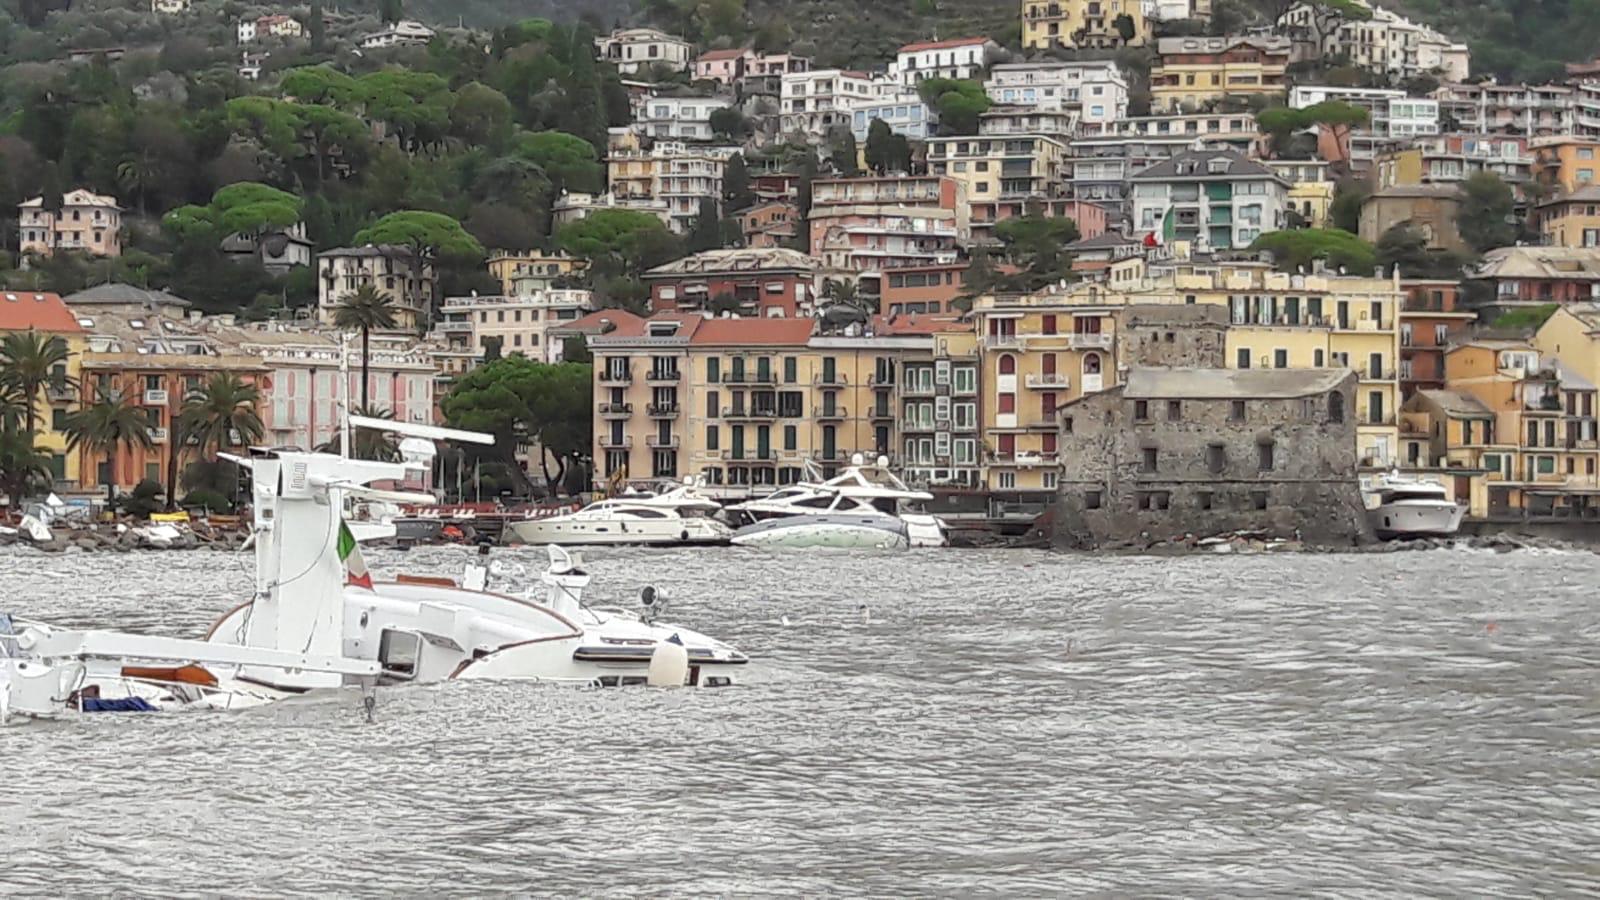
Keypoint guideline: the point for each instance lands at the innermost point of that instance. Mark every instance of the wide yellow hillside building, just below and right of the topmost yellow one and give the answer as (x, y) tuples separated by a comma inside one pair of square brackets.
[(1196, 71)]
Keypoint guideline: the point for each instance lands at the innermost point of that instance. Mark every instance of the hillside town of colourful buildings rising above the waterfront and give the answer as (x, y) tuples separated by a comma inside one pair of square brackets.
[(1158, 278)]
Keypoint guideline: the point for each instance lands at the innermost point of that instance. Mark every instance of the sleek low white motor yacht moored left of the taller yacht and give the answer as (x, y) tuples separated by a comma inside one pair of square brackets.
[(681, 516)]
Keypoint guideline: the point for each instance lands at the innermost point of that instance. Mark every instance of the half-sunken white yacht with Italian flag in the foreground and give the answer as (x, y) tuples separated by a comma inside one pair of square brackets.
[(318, 621)]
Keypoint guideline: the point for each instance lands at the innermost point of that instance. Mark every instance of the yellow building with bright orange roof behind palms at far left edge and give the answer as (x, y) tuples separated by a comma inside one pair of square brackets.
[(49, 316)]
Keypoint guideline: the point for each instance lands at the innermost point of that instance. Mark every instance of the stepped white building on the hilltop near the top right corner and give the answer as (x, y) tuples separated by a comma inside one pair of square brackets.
[(1386, 42)]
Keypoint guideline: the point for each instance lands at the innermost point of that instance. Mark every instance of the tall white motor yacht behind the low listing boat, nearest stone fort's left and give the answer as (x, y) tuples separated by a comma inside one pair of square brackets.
[(860, 492)]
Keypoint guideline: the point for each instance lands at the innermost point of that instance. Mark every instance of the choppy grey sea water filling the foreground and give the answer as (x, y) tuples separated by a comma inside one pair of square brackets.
[(934, 723)]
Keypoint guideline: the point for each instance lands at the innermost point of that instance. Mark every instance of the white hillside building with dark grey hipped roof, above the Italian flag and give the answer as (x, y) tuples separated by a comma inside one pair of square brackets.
[(1217, 199)]
